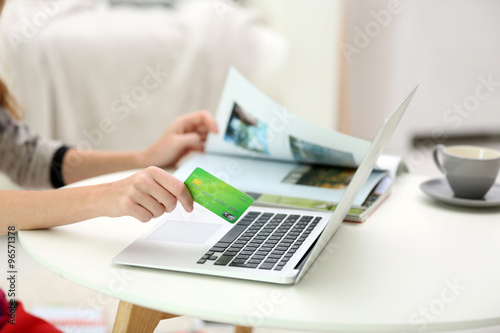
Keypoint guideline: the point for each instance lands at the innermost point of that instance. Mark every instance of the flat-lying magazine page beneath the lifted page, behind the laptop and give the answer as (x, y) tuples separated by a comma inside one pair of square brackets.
[(315, 182)]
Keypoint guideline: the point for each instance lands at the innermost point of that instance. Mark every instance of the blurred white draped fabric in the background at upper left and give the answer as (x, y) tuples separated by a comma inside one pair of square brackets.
[(104, 77)]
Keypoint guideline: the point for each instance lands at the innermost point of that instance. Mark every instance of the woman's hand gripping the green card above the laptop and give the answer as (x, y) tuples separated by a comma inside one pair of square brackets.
[(146, 194)]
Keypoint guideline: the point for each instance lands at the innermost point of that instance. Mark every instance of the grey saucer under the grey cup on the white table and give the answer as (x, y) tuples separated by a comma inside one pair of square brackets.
[(440, 190)]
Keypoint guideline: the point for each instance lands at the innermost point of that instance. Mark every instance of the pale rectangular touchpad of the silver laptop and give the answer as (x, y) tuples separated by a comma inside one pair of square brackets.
[(184, 232)]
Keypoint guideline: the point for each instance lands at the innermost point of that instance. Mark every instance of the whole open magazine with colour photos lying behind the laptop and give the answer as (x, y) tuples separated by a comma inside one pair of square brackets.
[(281, 159)]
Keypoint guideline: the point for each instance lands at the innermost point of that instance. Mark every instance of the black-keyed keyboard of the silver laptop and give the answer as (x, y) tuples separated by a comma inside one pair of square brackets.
[(262, 241)]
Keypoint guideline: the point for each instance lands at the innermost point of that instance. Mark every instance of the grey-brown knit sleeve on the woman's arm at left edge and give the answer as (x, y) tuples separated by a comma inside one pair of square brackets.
[(24, 156)]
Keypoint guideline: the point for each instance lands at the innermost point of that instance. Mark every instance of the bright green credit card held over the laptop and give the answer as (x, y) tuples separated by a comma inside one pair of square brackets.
[(217, 196)]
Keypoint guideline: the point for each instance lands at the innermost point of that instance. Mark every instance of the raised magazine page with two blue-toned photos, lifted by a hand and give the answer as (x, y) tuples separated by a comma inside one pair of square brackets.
[(251, 124)]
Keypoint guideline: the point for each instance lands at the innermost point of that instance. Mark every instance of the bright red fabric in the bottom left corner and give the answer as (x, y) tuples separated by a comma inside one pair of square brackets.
[(23, 321)]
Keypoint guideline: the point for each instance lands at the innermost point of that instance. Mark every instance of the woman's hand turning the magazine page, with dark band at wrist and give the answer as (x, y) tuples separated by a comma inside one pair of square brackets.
[(187, 133)]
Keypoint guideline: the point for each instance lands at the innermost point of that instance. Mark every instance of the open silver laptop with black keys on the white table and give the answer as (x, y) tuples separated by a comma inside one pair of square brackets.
[(267, 244)]
